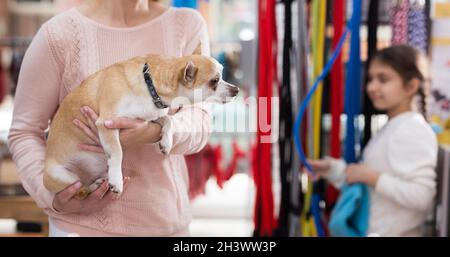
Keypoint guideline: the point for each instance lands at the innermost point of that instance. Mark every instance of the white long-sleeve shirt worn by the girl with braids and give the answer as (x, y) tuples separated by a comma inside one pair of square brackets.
[(405, 154)]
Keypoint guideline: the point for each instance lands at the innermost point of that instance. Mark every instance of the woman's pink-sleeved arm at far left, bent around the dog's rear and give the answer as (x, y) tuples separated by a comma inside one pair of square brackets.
[(36, 100)]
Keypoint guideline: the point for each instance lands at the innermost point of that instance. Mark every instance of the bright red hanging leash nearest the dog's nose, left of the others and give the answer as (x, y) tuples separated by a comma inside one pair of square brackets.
[(264, 218)]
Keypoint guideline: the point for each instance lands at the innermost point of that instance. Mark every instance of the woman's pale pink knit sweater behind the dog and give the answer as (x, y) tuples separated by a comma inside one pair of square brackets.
[(66, 50)]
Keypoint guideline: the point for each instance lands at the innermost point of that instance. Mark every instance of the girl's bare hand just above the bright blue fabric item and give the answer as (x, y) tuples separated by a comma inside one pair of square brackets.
[(359, 173)]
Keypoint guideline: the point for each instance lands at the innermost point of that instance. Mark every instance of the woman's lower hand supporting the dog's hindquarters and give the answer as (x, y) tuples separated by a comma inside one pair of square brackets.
[(65, 202)]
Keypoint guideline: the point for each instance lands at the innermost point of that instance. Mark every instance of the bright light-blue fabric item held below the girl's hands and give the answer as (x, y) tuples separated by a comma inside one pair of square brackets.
[(350, 216)]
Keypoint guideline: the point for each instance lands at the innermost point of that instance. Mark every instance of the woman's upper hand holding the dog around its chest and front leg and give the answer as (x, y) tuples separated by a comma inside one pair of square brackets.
[(132, 132)]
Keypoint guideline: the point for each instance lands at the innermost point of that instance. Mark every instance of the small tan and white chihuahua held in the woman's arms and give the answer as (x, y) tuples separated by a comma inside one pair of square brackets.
[(120, 91)]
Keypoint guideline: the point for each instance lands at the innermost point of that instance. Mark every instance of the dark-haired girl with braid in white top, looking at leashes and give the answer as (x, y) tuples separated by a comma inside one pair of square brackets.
[(398, 164)]
